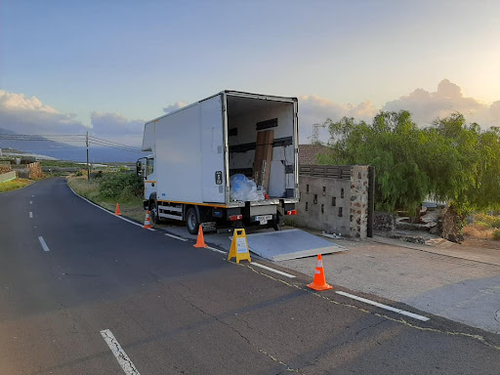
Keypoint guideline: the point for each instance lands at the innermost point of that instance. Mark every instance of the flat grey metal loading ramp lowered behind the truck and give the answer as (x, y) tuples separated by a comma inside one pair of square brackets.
[(289, 244)]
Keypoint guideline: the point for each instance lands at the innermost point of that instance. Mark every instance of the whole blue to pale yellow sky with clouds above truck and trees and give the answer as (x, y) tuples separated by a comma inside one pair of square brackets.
[(108, 66)]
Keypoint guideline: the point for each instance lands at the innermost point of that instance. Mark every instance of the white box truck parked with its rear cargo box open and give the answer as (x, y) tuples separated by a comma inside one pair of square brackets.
[(197, 149)]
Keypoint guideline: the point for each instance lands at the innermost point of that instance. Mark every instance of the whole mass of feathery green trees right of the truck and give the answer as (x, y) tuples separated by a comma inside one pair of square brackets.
[(451, 160)]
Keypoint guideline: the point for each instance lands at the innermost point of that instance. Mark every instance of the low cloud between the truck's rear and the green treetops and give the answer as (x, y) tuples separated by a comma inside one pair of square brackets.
[(315, 110)]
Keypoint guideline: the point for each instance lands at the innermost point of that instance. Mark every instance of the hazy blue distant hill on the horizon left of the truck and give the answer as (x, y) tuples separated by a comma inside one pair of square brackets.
[(65, 151)]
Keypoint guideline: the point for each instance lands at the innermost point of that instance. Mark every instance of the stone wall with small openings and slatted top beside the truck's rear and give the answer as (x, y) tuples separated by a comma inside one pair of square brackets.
[(334, 199)]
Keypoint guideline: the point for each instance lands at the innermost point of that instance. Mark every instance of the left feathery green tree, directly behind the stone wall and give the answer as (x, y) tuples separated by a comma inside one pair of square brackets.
[(393, 144)]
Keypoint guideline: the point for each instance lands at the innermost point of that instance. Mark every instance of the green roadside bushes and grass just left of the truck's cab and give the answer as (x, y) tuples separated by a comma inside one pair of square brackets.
[(130, 205)]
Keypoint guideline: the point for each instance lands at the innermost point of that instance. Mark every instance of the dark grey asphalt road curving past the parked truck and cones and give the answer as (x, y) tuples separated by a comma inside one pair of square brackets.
[(175, 309)]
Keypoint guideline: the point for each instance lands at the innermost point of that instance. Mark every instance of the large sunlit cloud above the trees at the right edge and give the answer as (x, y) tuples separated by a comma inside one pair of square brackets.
[(426, 106)]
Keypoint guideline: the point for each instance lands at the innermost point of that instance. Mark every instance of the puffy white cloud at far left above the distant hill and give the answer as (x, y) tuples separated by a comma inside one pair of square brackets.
[(27, 115)]
